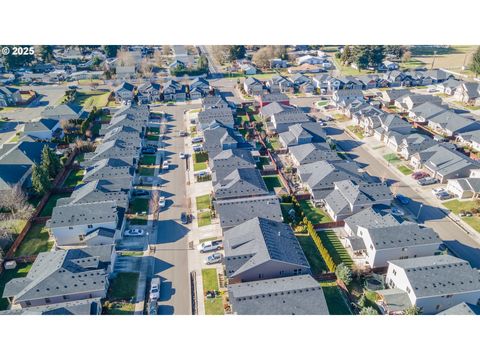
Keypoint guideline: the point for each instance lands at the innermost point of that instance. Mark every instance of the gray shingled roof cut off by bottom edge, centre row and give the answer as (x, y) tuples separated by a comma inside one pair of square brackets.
[(294, 295)]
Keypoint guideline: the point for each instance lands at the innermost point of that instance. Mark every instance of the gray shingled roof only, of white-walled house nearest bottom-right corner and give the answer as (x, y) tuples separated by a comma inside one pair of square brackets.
[(439, 275)]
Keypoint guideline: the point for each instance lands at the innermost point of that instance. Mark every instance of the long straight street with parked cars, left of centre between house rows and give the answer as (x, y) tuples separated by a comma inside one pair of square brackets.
[(170, 260)]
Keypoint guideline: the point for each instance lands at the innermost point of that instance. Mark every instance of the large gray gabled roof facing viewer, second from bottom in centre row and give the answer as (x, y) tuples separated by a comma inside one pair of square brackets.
[(258, 241)]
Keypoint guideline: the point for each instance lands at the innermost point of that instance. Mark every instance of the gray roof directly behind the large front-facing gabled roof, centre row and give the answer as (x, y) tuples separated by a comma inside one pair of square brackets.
[(237, 211)]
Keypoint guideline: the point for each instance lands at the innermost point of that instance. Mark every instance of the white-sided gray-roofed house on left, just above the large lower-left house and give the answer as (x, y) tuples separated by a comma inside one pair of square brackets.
[(73, 224)]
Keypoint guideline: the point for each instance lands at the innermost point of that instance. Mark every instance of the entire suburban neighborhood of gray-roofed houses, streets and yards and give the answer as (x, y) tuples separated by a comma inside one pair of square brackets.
[(240, 180)]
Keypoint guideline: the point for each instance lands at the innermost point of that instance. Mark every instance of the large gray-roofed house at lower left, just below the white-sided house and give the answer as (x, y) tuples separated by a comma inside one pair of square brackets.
[(63, 276)]
